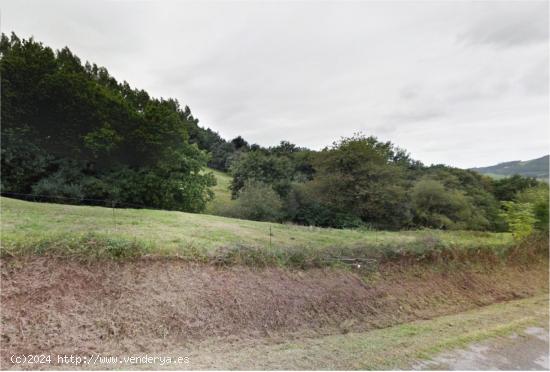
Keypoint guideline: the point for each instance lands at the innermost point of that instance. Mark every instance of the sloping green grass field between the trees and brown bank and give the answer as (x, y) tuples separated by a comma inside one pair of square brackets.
[(43, 228)]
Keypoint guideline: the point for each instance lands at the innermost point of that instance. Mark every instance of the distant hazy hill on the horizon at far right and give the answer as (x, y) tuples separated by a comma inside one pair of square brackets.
[(537, 168)]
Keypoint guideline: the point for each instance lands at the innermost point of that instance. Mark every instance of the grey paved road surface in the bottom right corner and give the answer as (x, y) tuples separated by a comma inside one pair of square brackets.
[(525, 351)]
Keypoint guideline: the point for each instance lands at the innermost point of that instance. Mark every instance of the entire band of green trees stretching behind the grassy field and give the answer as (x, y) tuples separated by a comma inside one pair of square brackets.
[(70, 129)]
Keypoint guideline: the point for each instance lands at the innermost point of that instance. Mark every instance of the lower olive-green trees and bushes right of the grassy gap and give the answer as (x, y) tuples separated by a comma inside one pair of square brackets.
[(360, 181)]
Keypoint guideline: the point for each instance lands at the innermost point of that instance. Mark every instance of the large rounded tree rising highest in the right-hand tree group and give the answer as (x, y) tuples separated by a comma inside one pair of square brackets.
[(363, 177)]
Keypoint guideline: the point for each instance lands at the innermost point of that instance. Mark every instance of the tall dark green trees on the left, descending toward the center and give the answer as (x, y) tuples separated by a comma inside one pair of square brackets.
[(70, 129)]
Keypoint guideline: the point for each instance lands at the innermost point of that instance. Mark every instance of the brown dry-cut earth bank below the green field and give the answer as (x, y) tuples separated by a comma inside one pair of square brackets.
[(63, 307)]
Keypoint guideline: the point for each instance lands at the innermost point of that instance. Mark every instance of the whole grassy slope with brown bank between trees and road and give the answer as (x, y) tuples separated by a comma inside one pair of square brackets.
[(129, 281)]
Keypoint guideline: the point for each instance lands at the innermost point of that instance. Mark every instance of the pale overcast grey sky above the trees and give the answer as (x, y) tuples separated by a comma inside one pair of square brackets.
[(458, 83)]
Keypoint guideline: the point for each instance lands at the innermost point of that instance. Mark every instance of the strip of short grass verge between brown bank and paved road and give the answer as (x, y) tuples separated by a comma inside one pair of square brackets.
[(392, 348)]
